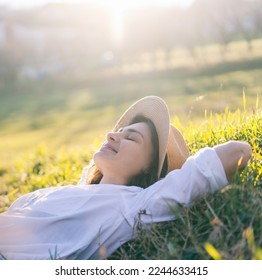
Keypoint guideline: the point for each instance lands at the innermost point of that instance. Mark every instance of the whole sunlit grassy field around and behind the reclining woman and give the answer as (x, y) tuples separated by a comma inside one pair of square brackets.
[(50, 128)]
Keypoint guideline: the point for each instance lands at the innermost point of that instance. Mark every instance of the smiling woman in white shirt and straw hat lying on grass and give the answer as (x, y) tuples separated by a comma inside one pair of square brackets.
[(139, 174)]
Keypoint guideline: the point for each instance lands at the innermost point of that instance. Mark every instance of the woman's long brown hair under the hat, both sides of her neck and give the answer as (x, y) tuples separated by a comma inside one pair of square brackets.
[(143, 179)]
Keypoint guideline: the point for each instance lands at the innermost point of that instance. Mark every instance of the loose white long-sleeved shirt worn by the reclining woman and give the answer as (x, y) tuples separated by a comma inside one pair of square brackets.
[(92, 221)]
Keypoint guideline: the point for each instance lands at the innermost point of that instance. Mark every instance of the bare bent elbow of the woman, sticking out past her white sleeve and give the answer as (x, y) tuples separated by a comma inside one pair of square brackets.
[(234, 156)]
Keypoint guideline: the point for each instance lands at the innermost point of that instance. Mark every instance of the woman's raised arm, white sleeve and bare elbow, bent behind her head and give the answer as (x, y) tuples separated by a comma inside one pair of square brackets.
[(208, 171)]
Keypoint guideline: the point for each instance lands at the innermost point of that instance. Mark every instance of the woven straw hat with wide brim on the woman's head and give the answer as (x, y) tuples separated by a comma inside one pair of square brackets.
[(171, 142)]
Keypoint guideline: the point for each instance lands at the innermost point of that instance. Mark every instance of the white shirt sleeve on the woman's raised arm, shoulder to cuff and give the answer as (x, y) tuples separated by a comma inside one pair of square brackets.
[(201, 174)]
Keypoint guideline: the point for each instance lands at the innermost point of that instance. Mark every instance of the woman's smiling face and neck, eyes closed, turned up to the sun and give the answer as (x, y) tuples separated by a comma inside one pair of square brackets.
[(126, 154)]
